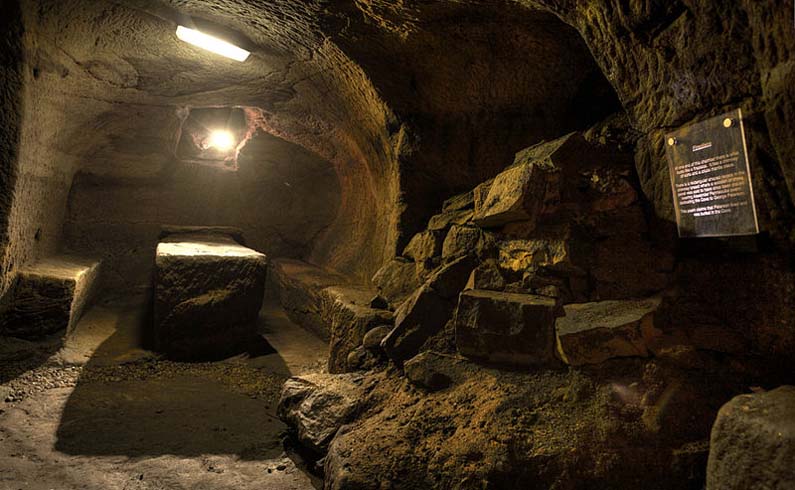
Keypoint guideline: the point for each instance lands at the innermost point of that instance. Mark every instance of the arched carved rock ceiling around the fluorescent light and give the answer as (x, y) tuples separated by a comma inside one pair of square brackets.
[(376, 88)]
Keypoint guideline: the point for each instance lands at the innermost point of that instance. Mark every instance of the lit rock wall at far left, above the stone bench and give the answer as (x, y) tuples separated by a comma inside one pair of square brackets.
[(43, 163)]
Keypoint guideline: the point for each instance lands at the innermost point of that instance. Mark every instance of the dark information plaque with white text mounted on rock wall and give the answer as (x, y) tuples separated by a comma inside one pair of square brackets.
[(711, 183)]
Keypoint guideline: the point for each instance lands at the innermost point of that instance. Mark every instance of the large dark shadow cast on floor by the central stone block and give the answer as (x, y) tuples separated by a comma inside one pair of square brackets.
[(129, 403)]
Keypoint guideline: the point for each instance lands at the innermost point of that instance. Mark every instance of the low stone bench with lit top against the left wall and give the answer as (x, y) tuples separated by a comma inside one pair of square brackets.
[(48, 296)]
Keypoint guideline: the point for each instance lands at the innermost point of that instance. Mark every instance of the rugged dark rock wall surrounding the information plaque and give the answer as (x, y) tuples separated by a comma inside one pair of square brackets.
[(676, 62)]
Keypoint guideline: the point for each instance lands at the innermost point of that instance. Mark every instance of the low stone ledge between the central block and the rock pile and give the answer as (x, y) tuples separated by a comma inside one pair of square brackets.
[(327, 304)]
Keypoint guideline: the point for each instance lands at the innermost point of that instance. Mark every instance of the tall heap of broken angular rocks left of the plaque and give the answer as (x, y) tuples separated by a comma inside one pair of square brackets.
[(559, 233)]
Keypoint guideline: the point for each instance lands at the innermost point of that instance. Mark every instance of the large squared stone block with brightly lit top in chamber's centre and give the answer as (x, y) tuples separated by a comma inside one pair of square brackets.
[(207, 295)]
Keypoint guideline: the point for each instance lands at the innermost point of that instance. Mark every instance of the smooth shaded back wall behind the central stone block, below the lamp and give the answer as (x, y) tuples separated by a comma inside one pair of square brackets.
[(282, 197)]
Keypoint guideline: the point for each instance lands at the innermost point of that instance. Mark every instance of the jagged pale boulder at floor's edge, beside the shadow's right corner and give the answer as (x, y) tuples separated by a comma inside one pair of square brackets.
[(317, 405)]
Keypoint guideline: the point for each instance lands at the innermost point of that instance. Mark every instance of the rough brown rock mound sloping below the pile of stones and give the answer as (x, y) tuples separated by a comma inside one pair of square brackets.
[(572, 429)]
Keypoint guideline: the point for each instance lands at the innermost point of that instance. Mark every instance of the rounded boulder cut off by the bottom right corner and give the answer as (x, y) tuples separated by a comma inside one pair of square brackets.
[(753, 442)]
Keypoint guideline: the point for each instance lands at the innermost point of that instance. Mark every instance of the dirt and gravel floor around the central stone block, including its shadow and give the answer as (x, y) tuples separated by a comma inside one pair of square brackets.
[(99, 412)]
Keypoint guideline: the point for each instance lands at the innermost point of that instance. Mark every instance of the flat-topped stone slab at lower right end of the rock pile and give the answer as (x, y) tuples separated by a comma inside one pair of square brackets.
[(591, 333)]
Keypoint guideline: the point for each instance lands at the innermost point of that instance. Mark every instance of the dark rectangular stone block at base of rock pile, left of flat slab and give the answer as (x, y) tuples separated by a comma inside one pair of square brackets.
[(506, 328)]
